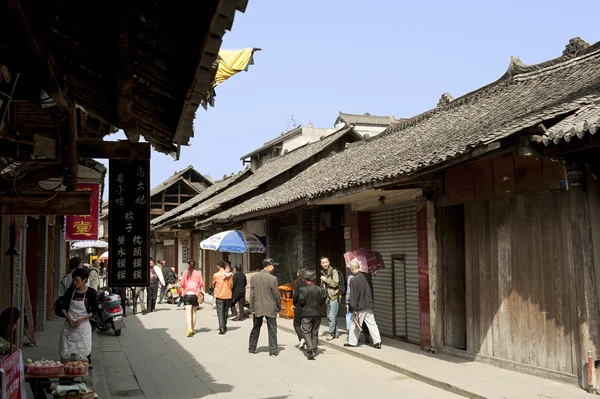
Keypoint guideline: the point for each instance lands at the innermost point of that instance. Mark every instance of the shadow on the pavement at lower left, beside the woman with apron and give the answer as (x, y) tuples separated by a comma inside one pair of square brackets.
[(135, 359)]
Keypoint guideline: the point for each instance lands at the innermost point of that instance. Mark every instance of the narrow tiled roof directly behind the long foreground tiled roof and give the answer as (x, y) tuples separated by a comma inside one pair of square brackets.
[(273, 168)]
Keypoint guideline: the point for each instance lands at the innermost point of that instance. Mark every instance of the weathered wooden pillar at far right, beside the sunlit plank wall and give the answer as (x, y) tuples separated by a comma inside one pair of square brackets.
[(580, 251)]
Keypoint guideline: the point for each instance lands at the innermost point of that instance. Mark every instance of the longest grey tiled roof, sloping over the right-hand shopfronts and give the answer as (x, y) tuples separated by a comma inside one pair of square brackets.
[(522, 98)]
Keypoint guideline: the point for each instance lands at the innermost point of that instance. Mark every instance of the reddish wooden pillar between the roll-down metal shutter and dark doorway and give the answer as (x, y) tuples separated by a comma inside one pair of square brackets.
[(423, 267)]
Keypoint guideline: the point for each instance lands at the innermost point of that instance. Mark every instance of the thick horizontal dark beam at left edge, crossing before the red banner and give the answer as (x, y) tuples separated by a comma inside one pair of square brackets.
[(45, 203)]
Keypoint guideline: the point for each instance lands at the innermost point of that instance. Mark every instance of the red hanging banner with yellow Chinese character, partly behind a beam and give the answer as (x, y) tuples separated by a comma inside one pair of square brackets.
[(84, 227)]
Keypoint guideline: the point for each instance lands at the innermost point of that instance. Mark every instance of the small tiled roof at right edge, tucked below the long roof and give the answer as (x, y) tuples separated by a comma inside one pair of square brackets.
[(586, 119)]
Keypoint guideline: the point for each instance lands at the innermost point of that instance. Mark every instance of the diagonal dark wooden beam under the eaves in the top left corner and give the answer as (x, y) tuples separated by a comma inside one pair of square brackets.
[(53, 86)]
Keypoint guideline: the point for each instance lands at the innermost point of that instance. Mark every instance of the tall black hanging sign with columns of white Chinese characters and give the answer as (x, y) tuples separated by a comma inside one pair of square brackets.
[(129, 223)]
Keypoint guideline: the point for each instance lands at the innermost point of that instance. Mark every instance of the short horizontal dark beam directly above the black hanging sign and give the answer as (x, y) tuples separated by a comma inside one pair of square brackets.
[(114, 150)]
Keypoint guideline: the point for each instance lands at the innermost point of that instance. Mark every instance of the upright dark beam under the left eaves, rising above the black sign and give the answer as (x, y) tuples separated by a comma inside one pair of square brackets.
[(125, 81)]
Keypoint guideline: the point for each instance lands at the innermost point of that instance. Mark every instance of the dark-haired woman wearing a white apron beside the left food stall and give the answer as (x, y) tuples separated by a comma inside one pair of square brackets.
[(79, 305)]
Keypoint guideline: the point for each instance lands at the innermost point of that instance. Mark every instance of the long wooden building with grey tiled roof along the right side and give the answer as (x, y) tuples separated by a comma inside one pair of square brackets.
[(486, 209)]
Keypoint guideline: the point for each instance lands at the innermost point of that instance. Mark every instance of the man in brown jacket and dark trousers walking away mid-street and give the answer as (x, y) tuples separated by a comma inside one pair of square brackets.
[(264, 302)]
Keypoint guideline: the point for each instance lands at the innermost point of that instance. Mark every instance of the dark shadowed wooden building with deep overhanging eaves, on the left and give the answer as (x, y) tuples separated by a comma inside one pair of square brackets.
[(70, 75)]
